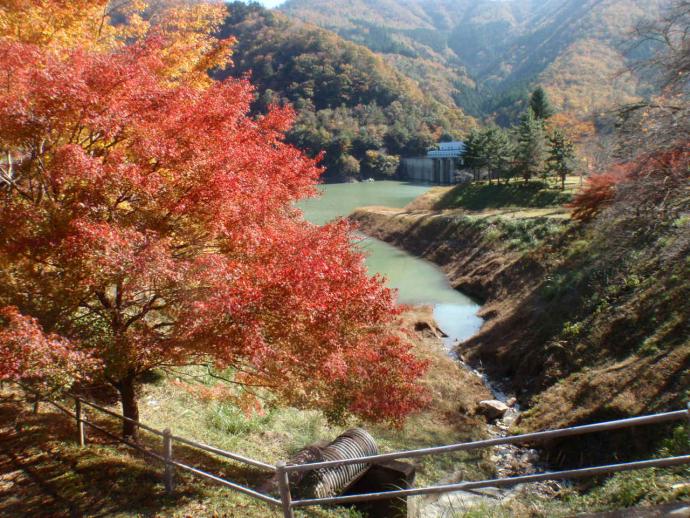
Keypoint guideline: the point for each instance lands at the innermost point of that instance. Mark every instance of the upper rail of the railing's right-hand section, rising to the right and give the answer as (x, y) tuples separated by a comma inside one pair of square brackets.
[(513, 439)]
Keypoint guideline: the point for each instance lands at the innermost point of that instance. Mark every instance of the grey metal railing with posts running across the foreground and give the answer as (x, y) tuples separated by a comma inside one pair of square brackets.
[(283, 470)]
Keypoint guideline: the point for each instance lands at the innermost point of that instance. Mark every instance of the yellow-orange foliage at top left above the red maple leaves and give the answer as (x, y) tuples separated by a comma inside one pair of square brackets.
[(102, 25)]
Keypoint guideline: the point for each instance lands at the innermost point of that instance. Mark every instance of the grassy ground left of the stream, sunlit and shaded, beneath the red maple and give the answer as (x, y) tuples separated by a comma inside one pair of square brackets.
[(49, 475)]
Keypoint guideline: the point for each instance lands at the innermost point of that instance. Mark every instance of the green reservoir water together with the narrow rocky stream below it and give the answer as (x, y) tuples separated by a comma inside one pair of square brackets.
[(419, 282)]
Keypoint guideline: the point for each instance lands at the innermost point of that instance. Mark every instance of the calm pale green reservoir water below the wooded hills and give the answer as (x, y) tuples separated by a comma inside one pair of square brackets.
[(418, 281)]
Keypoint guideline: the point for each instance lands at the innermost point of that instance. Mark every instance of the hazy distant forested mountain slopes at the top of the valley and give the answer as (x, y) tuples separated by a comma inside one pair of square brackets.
[(482, 55)]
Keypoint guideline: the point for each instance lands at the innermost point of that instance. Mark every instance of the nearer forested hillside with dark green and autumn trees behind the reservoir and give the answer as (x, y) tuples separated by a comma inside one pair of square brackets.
[(351, 104)]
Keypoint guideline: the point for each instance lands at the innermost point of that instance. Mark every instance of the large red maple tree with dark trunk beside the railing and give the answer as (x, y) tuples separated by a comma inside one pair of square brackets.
[(148, 224)]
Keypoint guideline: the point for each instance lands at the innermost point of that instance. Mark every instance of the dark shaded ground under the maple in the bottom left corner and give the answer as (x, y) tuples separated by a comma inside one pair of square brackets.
[(43, 472)]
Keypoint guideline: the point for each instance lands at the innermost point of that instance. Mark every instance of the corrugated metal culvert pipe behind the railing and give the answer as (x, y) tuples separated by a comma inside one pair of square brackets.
[(327, 482)]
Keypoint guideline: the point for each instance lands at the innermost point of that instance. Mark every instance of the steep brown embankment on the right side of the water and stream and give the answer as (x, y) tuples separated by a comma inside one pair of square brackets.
[(587, 322)]
